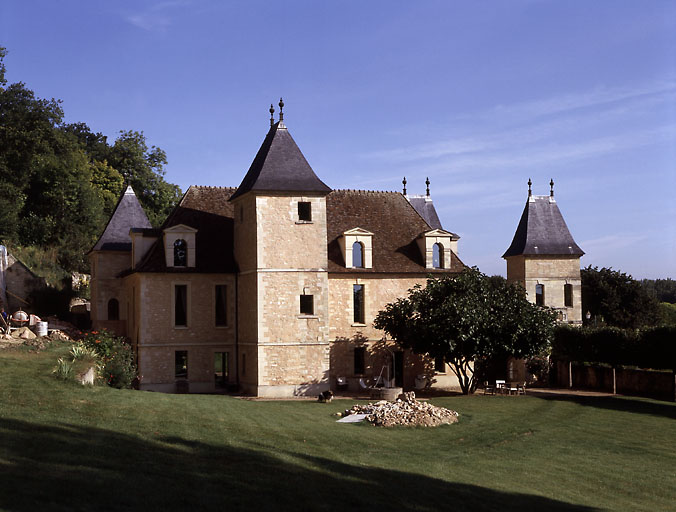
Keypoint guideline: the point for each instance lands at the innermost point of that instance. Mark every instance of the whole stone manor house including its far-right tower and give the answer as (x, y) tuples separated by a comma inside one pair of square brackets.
[(273, 286)]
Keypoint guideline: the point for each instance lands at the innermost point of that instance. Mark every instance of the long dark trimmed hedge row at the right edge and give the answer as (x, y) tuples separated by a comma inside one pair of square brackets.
[(653, 347)]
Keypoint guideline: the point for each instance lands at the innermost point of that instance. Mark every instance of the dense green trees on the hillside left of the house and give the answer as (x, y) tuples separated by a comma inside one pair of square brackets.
[(61, 181)]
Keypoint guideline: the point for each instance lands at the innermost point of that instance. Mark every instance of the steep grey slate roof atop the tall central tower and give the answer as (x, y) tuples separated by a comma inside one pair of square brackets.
[(279, 165)]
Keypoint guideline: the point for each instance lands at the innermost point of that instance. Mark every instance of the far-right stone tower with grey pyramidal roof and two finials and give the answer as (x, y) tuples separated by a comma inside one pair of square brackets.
[(545, 259)]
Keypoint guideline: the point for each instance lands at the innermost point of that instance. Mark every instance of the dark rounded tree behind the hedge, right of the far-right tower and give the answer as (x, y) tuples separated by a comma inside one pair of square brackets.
[(616, 299)]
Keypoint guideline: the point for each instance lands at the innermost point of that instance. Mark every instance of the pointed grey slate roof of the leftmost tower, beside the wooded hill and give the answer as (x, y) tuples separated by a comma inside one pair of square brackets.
[(128, 214)]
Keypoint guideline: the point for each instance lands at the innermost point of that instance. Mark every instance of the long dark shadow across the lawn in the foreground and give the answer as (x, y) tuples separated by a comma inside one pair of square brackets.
[(80, 468)]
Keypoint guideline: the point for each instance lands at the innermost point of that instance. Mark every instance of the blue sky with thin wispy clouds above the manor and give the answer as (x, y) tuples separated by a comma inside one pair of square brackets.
[(479, 96)]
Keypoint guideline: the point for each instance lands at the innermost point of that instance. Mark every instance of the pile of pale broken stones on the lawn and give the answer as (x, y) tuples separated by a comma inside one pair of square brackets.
[(406, 411)]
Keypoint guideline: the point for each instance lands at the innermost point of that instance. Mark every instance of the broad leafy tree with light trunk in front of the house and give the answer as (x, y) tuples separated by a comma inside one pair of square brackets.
[(468, 318)]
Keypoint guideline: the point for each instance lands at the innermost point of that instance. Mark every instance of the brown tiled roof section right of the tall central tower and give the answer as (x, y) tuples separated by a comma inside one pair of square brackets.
[(395, 224)]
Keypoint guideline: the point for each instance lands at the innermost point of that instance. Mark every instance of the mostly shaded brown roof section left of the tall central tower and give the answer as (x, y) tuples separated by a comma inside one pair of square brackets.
[(208, 210)]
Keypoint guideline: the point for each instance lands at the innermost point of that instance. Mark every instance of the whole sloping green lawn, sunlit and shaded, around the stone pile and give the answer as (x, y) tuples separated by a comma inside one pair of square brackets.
[(67, 447)]
